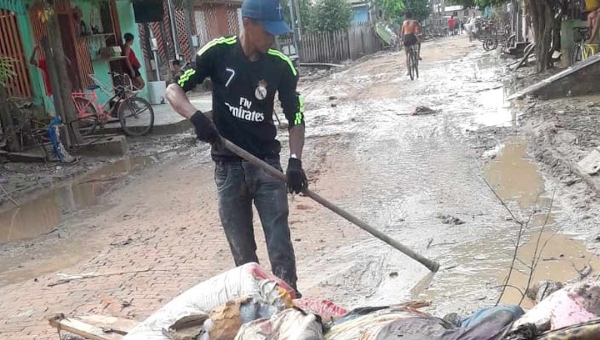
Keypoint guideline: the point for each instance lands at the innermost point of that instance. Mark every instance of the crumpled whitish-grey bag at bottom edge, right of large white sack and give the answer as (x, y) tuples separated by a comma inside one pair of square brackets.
[(290, 324)]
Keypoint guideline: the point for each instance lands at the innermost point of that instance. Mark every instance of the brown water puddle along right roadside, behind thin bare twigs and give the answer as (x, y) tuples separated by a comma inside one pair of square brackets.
[(515, 178)]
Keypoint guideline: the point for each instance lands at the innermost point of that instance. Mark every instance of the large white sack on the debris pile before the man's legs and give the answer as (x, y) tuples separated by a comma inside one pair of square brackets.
[(249, 280)]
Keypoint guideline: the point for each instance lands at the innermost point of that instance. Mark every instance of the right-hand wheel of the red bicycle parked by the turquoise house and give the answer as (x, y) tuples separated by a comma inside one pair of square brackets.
[(136, 116)]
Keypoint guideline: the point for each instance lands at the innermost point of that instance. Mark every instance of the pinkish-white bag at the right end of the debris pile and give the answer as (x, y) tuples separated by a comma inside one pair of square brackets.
[(576, 303)]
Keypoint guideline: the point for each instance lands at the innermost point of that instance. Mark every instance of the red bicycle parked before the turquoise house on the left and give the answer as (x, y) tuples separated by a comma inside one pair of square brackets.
[(135, 114)]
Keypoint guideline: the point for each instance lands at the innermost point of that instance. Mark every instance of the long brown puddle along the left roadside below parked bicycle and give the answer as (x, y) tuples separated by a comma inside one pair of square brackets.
[(42, 214)]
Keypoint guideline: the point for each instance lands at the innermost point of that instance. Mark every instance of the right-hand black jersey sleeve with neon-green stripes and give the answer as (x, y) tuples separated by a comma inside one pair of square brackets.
[(292, 102)]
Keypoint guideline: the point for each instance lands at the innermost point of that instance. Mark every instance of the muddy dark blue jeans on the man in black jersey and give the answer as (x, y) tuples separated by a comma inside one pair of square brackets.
[(240, 183)]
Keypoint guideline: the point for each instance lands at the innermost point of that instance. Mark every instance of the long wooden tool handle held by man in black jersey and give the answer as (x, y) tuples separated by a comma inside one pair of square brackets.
[(431, 265)]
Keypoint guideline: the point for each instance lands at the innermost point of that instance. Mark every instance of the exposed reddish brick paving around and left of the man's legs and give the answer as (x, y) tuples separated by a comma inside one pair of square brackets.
[(176, 242)]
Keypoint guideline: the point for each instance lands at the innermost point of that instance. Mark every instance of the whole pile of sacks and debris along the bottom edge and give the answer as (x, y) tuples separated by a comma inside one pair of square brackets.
[(247, 303)]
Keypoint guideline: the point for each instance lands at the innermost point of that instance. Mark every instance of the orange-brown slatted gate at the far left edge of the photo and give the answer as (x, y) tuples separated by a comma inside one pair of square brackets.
[(11, 46)]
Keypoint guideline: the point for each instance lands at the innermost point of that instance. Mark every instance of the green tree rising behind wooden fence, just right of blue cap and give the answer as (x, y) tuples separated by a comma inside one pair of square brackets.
[(331, 15)]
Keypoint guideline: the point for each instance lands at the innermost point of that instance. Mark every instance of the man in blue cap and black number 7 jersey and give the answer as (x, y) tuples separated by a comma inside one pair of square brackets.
[(246, 73)]
